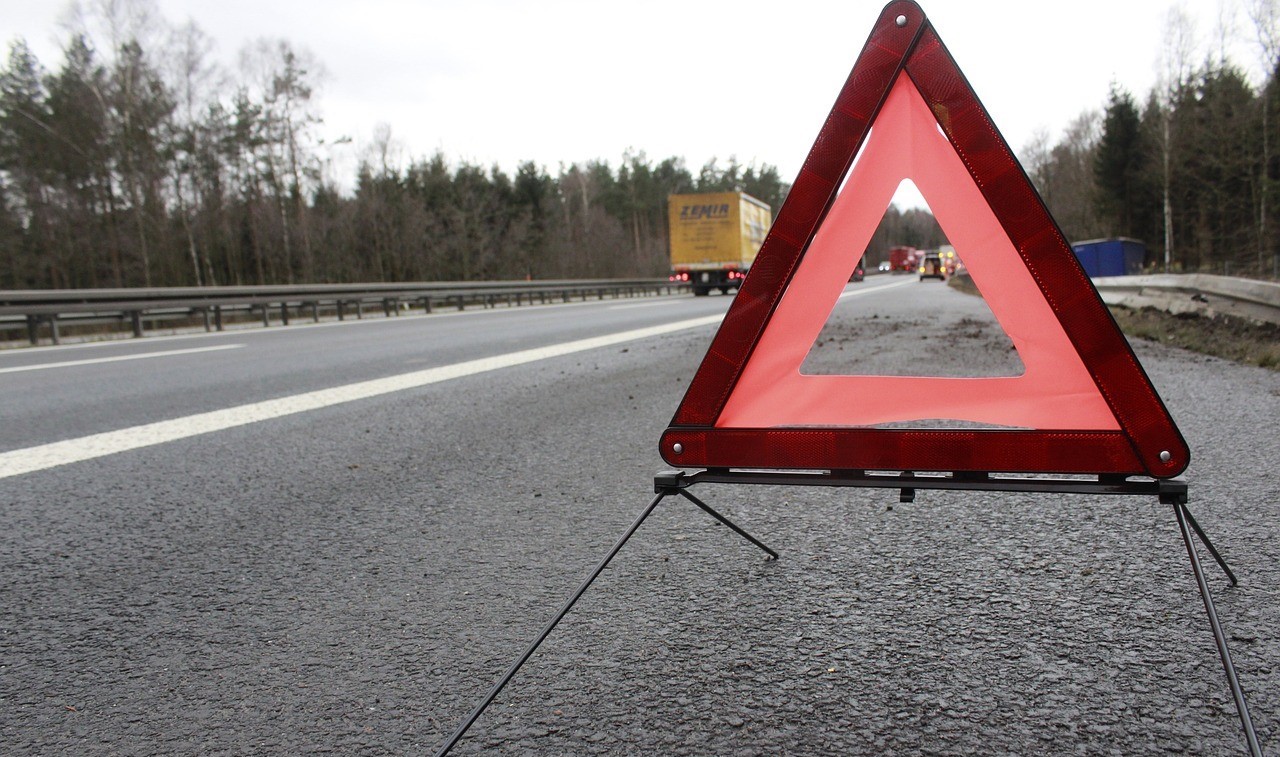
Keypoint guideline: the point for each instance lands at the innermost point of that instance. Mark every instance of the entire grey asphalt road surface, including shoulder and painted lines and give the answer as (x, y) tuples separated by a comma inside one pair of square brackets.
[(333, 540)]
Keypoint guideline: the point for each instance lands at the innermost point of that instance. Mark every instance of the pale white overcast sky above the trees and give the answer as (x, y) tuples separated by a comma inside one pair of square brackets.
[(564, 81)]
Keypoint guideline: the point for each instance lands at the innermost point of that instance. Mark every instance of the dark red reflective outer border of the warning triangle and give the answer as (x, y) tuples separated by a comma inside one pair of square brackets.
[(1148, 444)]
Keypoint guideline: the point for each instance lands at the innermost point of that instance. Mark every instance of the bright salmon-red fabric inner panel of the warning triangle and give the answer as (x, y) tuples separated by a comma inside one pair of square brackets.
[(1054, 393)]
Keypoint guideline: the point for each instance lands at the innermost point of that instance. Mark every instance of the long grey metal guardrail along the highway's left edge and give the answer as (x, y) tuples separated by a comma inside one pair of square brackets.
[(47, 311)]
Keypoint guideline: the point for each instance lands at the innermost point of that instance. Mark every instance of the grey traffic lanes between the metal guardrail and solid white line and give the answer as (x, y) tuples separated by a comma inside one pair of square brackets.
[(111, 386)]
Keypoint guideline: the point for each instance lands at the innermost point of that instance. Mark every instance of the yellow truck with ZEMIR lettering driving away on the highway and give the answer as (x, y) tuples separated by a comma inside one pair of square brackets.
[(715, 239)]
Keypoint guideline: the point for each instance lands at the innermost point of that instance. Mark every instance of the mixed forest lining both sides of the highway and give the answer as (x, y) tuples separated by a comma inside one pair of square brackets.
[(139, 161)]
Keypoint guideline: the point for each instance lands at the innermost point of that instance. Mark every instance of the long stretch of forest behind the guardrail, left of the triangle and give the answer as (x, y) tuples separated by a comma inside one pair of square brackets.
[(139, 162)]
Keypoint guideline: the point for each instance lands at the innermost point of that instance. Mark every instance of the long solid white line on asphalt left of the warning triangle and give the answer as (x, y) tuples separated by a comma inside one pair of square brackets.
[(44, 457)]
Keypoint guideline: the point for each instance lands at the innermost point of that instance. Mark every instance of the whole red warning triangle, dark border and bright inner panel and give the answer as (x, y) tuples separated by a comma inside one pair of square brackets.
[(1084, 404)]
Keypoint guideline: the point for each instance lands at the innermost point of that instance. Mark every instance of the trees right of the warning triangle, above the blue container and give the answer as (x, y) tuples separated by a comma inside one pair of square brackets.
[(1192, 168)]
